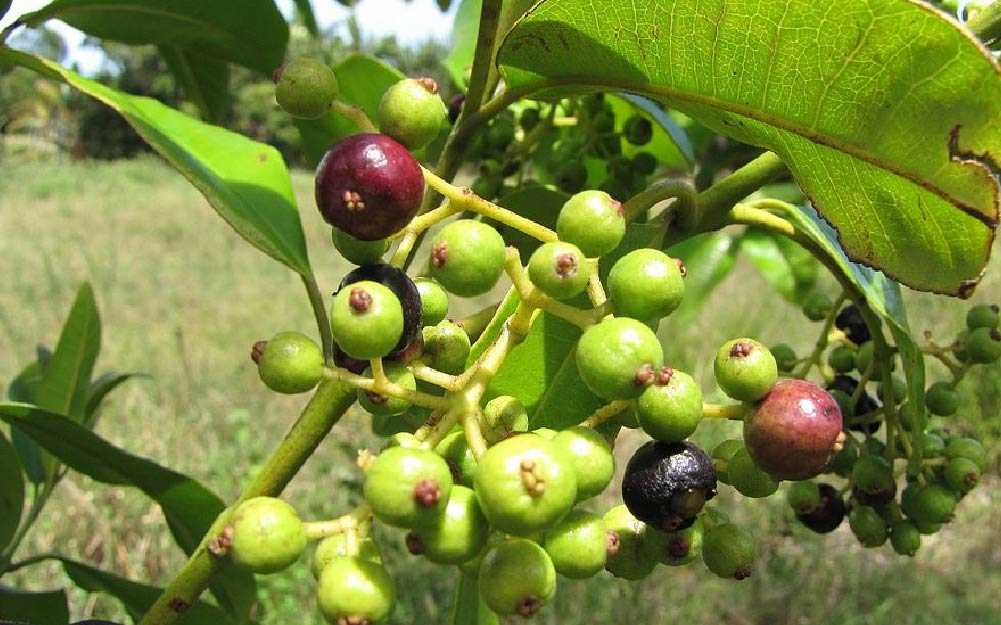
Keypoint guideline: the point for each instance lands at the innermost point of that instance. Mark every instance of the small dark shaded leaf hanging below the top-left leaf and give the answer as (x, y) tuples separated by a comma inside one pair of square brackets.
[(206, 81)]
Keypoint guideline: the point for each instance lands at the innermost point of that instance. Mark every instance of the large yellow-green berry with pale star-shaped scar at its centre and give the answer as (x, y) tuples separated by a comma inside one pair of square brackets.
[(525, 484)]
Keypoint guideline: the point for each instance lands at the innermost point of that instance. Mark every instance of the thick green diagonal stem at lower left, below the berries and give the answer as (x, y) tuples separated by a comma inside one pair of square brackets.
[(331, 401)]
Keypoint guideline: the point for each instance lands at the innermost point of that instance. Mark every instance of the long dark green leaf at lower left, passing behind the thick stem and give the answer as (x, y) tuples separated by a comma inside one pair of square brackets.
[(189, 507)]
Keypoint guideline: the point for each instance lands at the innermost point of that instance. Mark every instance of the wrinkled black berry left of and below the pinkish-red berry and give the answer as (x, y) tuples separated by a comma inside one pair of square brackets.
[(667, 484)]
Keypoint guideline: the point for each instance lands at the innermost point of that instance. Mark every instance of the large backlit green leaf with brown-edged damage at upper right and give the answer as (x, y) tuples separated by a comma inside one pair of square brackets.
[(885, 112)]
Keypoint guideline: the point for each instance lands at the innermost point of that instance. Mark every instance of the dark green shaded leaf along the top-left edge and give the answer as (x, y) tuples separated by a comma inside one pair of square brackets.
[(252, 34)]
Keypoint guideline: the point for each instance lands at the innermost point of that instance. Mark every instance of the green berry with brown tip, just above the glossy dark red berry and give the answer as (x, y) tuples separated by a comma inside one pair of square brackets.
[(412, 112)]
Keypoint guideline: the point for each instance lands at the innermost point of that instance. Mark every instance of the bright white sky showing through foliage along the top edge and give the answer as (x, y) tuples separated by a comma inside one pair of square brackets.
[(412, 23)]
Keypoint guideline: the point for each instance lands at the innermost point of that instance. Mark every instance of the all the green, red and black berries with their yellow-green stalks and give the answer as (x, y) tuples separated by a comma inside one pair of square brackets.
[(468, 478)]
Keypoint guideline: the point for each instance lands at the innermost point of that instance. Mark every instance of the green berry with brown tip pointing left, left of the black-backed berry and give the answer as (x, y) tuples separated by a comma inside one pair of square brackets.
[(290, 363)]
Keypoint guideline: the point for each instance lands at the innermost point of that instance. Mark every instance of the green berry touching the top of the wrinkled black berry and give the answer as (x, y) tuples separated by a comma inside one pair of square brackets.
[(670, 411)]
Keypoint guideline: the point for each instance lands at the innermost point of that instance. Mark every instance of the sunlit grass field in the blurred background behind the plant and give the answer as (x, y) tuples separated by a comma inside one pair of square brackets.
[(183, 299)]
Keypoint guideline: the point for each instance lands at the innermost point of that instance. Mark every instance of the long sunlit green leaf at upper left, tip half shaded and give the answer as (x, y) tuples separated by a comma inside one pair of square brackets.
[(246, 182)]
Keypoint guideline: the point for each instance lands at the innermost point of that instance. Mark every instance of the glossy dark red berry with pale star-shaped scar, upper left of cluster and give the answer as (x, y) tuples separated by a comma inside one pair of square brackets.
[(370, 187)]
